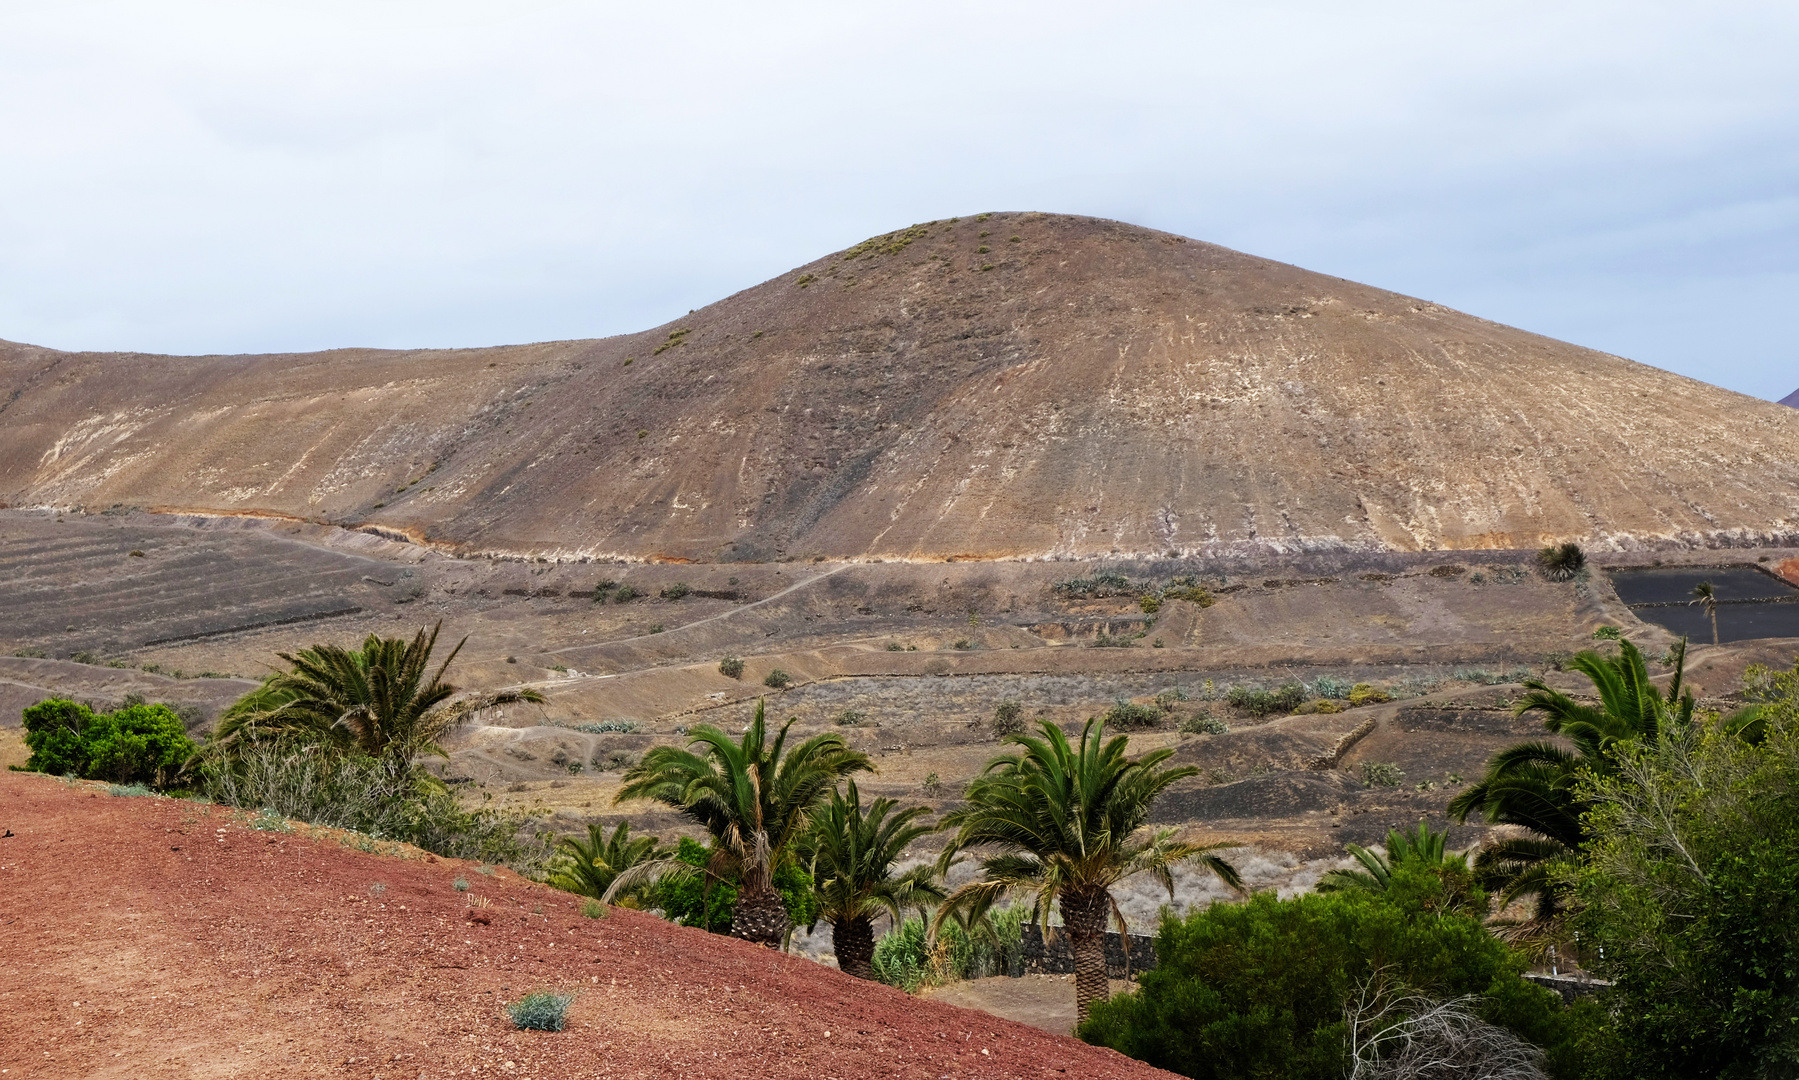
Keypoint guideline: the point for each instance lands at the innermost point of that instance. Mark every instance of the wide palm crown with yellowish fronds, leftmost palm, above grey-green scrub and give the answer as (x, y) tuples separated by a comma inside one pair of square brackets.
[(382, 699)]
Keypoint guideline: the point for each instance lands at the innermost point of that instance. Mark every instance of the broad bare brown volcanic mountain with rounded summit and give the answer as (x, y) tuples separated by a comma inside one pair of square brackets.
[(987, 388)]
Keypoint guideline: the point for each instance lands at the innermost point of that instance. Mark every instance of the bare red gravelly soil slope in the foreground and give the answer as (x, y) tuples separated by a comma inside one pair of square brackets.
[(148, 937)]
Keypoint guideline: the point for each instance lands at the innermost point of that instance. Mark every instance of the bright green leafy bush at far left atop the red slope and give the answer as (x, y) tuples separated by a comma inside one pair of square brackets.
[(136, 744)]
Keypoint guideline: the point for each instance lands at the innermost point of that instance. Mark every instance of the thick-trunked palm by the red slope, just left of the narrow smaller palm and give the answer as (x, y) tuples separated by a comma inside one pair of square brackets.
[(755, 798)]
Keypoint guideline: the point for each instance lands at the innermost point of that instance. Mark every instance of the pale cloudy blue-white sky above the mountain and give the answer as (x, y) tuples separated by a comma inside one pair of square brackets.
[(249, 177)]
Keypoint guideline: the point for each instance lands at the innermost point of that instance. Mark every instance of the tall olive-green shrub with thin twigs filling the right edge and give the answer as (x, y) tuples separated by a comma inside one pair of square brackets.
[(1687, 899)]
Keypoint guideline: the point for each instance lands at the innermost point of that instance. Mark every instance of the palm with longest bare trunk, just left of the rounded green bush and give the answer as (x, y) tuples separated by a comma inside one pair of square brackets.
[(1070, 825)]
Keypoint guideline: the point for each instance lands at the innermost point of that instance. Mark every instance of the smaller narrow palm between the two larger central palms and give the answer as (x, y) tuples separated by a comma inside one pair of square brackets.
[(852, 854)]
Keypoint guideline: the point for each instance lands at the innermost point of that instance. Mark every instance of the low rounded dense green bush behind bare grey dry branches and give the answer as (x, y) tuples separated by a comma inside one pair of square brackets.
[(1258, 989)]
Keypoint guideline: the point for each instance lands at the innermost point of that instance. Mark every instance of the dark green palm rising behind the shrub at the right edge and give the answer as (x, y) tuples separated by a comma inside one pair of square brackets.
[(1532, 786)]
